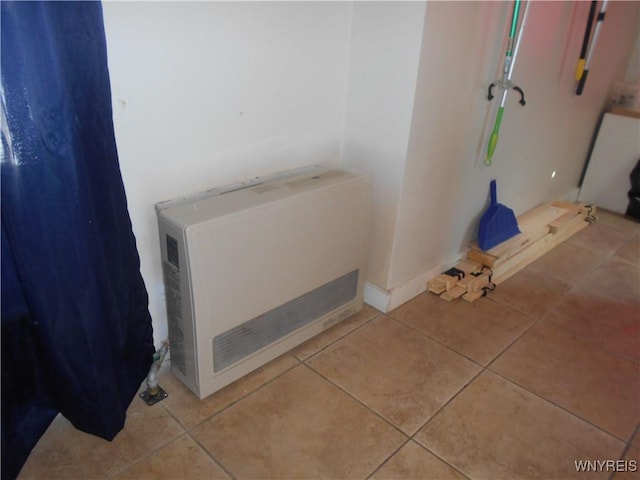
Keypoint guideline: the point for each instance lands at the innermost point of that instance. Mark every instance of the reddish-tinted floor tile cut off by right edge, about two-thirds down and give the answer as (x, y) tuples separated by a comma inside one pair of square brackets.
[(609, 324)]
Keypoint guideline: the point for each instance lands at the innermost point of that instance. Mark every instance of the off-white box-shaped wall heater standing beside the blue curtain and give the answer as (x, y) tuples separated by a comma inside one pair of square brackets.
[(254, 269)]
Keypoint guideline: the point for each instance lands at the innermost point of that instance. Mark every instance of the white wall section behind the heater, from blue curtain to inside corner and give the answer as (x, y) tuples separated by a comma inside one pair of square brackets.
[(210, 93)]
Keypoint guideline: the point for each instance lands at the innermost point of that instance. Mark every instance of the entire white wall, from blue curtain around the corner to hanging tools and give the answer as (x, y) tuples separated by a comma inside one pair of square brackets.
[(208, 93)]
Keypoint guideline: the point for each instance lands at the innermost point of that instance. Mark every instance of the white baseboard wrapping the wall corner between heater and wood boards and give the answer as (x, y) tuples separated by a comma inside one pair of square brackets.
[(388, 300)]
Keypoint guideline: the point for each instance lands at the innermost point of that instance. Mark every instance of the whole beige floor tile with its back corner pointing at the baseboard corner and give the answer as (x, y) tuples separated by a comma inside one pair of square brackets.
[(393, 369)]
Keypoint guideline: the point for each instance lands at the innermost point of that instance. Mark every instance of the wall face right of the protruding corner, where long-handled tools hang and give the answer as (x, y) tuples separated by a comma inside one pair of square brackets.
[(445, 185)]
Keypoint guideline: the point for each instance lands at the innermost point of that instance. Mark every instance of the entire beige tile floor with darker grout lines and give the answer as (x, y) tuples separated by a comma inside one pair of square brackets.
[(520, 385)]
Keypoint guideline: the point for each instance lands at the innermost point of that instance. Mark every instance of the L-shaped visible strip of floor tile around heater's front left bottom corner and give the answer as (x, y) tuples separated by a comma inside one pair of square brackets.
[(190, 410)]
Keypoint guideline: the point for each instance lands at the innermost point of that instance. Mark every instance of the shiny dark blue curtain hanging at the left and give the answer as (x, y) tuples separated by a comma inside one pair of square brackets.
[(76, 330)]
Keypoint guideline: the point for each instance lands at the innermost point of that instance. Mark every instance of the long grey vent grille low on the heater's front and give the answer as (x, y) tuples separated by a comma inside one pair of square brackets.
[(249, 337)]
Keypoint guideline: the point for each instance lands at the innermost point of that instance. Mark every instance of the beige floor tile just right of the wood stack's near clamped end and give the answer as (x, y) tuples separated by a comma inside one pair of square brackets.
[(530, 291)]
